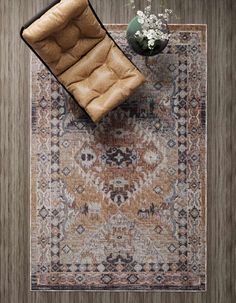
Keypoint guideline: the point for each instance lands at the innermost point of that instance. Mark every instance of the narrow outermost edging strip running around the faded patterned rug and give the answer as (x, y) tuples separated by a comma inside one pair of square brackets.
[(121, 27)]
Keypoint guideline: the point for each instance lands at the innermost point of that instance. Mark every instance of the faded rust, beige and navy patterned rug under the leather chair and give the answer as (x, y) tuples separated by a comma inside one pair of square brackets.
[(122, 205)]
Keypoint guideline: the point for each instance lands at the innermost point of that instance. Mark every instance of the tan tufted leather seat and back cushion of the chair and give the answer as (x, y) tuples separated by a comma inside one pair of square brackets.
[(79, 52)]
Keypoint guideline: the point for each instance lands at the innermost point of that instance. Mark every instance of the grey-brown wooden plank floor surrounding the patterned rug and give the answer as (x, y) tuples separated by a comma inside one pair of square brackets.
[(220, 15)]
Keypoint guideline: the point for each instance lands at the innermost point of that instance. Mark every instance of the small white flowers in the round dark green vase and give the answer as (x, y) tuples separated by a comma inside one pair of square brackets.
[(153, 27)]
